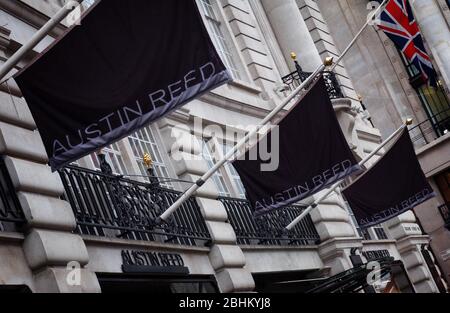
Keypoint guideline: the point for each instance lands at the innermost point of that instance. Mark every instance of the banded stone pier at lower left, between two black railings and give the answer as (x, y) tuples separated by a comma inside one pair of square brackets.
[(55, 255)]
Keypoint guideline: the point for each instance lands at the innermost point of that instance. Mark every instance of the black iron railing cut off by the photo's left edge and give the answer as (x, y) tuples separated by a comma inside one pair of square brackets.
[(11, 214)]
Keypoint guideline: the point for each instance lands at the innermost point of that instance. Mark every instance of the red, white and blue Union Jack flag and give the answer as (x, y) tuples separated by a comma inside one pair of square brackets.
[(398, 23)]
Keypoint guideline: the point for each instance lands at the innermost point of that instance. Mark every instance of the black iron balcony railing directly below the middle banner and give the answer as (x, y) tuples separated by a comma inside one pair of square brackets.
[(268, 229)]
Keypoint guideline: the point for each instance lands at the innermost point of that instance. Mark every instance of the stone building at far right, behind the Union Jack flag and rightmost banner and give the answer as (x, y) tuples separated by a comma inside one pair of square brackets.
[(390, 92)]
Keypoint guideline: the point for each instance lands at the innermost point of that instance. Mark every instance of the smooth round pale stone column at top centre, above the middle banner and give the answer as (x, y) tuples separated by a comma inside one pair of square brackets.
[(292, 33)]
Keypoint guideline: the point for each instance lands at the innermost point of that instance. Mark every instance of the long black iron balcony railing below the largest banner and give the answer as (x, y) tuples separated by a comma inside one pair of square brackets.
[(112, 206)]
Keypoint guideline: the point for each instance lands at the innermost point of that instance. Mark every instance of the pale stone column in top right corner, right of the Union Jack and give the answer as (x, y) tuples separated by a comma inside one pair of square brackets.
[(436, 33)]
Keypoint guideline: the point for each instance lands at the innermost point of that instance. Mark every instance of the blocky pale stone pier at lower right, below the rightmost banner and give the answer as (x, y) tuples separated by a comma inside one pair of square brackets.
[(409, 239)]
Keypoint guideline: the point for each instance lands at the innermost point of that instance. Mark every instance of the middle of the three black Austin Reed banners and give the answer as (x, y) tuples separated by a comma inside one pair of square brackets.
[(313, 154)]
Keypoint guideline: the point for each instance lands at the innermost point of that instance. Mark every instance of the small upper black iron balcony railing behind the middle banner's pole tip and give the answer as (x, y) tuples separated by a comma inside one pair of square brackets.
[(294, 79)]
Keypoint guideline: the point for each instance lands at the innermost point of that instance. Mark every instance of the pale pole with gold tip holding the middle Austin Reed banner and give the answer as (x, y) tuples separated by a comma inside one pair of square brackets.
[(185, 196)]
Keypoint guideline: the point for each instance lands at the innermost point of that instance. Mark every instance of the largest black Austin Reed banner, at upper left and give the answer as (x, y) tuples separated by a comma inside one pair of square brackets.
[(128, 64)]
